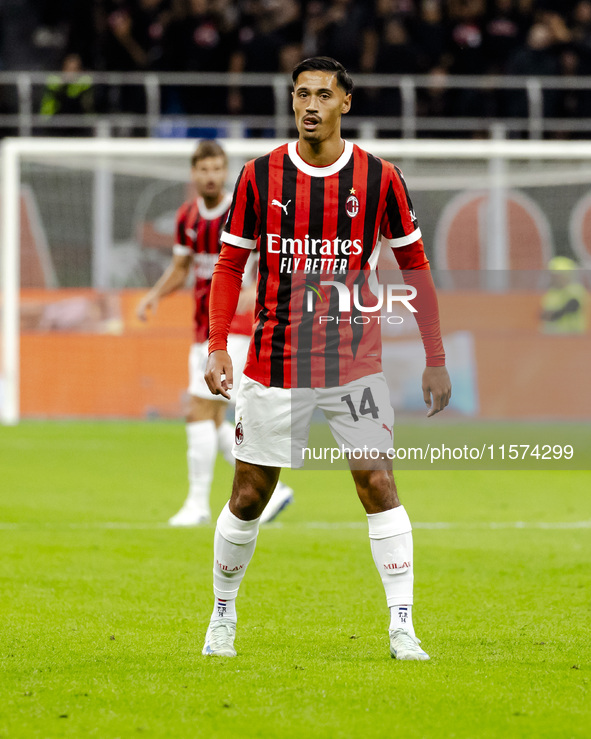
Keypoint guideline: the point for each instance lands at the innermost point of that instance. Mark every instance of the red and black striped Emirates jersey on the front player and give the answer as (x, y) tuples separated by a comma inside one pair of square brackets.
[(314, 224)]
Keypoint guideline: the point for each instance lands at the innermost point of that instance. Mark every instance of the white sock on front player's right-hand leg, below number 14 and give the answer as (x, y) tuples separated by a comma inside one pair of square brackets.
[(390, 534)]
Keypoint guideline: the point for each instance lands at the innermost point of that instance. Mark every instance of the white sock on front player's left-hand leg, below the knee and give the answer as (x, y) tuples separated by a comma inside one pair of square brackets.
[(233, 546)]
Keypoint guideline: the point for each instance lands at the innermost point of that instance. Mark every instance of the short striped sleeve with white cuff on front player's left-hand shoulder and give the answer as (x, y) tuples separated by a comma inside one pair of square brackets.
[(244, 219)]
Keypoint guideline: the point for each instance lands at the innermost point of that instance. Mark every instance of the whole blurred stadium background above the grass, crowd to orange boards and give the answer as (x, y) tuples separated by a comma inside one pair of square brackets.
[(95, 226)]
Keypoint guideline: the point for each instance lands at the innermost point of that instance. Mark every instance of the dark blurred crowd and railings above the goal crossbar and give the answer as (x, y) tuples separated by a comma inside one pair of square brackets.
[(422, 67)]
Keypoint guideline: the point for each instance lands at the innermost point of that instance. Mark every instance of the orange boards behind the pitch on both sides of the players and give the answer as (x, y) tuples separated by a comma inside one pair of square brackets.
[(140, 369)]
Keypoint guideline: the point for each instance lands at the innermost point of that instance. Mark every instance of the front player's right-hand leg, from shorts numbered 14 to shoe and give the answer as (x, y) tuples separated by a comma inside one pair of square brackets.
[(360, 416)]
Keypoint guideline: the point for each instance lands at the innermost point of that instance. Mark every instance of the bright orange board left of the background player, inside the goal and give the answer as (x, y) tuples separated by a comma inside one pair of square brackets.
[(140, 371)]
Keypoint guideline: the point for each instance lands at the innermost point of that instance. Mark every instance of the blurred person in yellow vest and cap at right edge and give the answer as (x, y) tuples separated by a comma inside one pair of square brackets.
[(564, 305)]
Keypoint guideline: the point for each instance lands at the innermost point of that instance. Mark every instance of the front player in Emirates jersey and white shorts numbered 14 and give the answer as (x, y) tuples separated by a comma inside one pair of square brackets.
[(318, 204)]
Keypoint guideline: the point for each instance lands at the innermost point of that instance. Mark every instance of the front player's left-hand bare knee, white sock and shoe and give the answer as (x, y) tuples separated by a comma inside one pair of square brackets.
[(234, 544)]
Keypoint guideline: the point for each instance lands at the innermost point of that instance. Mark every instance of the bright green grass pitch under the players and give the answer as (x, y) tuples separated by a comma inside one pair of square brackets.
[(103, 610)]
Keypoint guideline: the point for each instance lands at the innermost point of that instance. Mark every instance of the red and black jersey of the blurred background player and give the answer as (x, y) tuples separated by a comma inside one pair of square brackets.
[(197, 233)]
